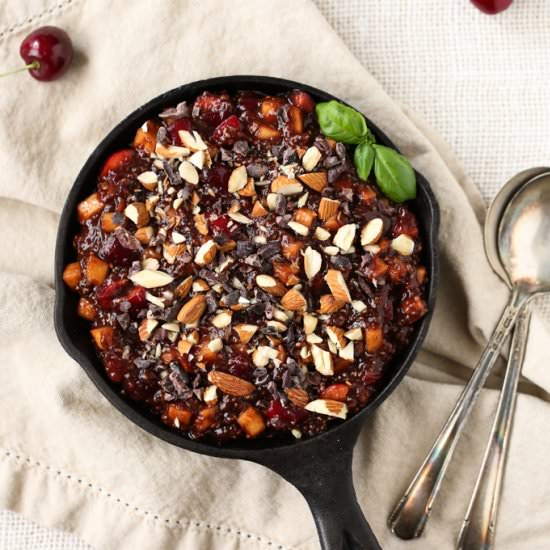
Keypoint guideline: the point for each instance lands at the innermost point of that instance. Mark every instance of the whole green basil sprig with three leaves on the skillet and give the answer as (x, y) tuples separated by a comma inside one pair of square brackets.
[(393, 172)]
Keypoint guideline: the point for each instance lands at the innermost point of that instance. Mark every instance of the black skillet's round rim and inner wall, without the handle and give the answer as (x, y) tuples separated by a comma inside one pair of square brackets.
[(253, 450)]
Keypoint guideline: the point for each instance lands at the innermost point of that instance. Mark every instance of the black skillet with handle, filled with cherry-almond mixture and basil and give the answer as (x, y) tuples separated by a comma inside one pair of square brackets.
[(236, 281)]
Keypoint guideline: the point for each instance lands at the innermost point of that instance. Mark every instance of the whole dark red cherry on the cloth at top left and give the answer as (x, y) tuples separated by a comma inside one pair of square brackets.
[(48, 52)]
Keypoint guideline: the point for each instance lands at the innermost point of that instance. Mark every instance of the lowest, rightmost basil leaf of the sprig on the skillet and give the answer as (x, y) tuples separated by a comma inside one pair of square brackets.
[(394, 174)]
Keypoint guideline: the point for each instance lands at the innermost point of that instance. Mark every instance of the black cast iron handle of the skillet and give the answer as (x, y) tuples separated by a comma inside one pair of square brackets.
[(322, 473)]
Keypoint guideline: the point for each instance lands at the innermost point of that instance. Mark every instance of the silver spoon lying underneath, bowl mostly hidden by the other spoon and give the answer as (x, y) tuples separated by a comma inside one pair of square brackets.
[(479, 527)]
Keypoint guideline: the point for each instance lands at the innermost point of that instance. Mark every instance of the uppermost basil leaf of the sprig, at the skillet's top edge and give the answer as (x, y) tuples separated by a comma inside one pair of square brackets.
[(340, 122)]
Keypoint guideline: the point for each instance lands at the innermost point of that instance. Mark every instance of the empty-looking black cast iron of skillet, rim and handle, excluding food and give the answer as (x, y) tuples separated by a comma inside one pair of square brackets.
[(320, 467)]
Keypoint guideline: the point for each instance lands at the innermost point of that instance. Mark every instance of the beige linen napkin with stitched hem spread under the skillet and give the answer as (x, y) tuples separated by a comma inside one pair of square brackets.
[(67, 459)]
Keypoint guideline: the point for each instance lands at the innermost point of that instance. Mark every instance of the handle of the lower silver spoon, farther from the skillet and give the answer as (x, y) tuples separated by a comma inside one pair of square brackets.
[(478, 528)]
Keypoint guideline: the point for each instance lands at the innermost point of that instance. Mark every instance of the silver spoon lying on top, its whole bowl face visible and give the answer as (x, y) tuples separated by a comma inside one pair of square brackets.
[(524, 246)]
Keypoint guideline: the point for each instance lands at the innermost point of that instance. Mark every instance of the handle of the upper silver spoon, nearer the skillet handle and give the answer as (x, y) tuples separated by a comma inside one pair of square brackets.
[(409, 517)]
